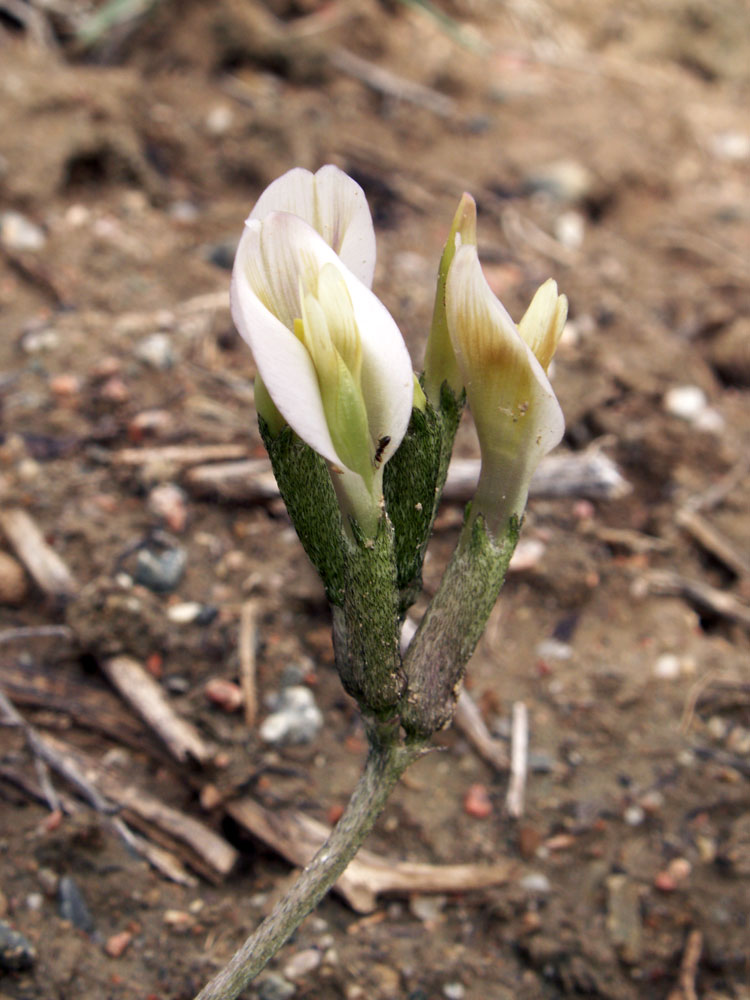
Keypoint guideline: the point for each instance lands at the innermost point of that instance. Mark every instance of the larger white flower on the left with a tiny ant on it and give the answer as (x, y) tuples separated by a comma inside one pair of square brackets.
[(329, 354)]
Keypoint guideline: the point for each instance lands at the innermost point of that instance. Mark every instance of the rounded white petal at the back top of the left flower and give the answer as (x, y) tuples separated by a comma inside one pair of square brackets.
[(334, 205)]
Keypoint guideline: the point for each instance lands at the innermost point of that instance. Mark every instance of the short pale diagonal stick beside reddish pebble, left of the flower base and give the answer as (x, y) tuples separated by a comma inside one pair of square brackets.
[(147, 697)]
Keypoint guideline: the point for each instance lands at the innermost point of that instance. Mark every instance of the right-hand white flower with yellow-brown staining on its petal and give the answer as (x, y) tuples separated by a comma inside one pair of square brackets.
[(503, 368)]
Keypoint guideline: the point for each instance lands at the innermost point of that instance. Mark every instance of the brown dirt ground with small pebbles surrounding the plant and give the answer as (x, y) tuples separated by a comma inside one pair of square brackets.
[(607, 145)]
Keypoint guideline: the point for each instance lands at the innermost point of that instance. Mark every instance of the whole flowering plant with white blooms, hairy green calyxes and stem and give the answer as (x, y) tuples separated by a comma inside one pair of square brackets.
[(360, 448)]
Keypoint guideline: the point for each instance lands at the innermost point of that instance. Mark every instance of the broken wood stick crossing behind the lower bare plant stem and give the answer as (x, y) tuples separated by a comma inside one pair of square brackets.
[(297, 837)]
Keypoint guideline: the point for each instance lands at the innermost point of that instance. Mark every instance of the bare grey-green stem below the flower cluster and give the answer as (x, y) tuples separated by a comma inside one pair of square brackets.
[(388, 758)]
